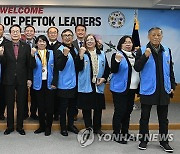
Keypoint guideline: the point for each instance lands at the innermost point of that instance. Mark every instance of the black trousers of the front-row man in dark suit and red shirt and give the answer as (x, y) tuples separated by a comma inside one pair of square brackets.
[(21, 91)]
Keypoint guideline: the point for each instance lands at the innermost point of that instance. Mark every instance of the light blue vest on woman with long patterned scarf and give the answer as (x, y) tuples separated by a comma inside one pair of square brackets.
[(84, 77)]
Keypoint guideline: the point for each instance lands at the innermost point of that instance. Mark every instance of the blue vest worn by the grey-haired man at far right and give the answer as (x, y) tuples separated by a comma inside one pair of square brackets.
[(148, 74)]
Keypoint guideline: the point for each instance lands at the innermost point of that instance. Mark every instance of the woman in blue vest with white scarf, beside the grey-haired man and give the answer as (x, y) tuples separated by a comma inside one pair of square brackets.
[(123, 85)]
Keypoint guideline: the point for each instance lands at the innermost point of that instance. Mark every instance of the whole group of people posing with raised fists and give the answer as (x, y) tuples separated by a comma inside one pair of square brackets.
[(70, 75)]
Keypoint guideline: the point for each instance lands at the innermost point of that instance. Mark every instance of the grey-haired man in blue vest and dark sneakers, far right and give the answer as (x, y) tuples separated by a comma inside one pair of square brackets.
[(157, 85)]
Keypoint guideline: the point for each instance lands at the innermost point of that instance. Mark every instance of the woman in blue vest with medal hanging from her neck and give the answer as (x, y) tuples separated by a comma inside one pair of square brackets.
[(44, 81)]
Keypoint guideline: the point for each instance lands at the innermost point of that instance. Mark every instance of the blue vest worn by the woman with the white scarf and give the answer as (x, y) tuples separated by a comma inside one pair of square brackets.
[(119, 80)]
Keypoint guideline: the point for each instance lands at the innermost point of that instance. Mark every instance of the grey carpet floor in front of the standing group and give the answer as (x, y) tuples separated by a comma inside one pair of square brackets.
[(57, 144)]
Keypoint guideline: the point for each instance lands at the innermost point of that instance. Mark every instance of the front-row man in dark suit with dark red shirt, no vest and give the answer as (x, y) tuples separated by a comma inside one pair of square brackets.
[(15, 56)]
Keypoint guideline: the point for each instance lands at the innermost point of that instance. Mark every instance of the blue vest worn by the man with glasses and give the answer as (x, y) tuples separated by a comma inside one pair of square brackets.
[(67, 77)]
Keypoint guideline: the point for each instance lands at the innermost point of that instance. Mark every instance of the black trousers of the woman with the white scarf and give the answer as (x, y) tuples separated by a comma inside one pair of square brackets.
[(123, 106)]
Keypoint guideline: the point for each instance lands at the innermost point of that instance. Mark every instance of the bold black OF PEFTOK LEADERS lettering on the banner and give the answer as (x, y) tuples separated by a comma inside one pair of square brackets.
[(51, 21)]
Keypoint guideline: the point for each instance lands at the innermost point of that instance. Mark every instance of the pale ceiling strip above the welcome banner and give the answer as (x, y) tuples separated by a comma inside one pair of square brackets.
[(150, 4)]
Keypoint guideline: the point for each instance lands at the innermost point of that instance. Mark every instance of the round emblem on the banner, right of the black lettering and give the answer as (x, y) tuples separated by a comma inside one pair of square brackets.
[(116, 19)]
